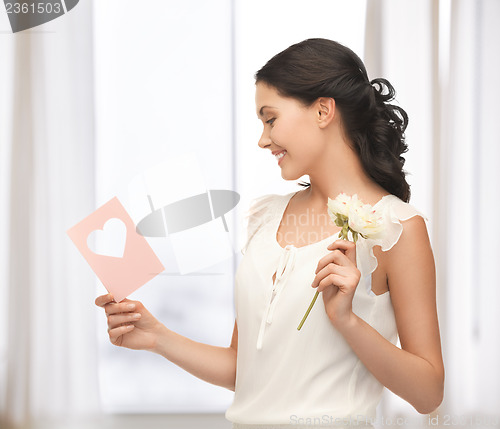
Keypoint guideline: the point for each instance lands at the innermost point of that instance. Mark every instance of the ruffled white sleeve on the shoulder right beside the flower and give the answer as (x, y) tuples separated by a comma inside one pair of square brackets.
[(393, 211)]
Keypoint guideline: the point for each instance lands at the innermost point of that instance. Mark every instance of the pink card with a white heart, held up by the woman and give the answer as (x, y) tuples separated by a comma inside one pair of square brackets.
[(129, 263)]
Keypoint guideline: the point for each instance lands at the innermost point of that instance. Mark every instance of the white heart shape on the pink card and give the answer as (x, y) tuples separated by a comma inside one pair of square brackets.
[(110, 240)]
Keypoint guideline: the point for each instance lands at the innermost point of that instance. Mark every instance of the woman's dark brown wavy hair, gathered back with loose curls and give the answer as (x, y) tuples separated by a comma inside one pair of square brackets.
[(319, 67)]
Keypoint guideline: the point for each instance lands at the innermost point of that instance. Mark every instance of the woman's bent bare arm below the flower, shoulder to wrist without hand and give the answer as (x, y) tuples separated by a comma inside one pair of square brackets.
[(416, 371)]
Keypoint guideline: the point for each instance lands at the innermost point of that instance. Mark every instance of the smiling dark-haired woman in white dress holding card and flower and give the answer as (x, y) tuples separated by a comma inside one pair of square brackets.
[(323, 118)]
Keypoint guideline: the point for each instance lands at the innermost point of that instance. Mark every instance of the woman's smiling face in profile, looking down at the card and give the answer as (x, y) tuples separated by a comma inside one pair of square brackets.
[(289, 126)]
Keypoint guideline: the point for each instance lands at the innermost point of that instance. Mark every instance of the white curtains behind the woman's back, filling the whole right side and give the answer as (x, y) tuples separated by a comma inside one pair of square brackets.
[(443, 59)]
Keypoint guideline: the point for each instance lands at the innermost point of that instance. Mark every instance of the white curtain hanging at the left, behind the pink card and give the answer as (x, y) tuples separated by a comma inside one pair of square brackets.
[(48, 341)]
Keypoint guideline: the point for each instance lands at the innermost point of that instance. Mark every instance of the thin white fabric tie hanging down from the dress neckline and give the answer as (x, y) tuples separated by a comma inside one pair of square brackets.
[(285, 267)]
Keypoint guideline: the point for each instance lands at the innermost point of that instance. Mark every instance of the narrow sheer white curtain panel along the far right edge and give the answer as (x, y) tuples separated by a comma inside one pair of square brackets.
[(471, 150)]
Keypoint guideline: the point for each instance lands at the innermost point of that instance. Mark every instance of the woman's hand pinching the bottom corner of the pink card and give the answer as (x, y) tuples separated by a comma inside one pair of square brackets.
[(130, 324)]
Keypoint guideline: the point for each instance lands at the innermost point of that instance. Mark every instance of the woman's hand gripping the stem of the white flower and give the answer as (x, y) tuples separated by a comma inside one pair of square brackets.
[(337, 276)]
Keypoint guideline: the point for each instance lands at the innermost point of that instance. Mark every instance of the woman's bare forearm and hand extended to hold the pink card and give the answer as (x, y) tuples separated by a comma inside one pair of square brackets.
[(131, 325)]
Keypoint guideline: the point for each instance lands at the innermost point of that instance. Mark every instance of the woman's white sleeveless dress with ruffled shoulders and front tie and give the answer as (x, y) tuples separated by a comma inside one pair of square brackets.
[(309, 378)]
